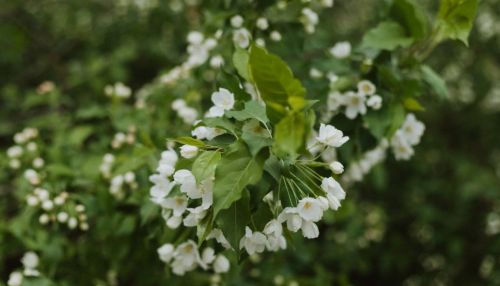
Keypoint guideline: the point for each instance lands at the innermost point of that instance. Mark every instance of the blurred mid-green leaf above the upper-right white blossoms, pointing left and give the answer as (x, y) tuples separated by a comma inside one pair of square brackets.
[(386, 36)]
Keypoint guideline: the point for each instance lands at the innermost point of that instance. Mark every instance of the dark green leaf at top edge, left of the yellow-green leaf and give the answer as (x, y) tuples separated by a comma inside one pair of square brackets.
[(411, 16)]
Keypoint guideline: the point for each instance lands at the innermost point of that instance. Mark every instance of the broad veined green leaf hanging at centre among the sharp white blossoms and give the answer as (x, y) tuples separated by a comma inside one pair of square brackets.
[(236, 170)]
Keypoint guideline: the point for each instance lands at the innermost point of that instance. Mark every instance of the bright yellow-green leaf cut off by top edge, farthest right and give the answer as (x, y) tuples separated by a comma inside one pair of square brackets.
[(455, 19)]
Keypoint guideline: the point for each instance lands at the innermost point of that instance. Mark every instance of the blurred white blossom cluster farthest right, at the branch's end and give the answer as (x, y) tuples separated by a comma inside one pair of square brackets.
[(406, 137)]
